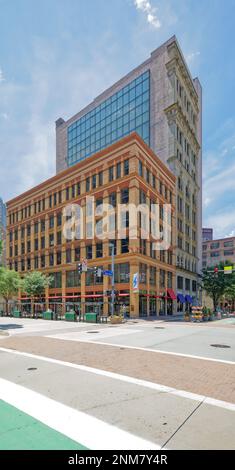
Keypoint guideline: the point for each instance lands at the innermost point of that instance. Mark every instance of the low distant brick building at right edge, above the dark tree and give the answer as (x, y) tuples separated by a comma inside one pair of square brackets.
[(216, 251)]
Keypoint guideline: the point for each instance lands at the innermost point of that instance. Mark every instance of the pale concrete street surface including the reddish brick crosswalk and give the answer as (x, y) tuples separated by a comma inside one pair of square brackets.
[(163, 397)]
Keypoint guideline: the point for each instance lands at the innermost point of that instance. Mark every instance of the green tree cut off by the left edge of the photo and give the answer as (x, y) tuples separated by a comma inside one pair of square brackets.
[(10, 283)]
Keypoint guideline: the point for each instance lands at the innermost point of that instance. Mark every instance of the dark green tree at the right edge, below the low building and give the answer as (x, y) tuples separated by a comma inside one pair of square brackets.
[(215, 284)]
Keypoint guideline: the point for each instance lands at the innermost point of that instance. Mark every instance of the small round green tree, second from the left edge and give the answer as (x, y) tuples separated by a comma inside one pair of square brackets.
[(35, 283)]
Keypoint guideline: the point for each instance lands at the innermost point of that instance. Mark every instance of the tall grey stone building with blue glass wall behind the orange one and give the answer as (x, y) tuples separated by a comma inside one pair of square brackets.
[(162, 102)]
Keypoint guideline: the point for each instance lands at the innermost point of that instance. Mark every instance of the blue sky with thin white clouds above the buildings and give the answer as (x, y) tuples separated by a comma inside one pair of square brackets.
[(56, 56)]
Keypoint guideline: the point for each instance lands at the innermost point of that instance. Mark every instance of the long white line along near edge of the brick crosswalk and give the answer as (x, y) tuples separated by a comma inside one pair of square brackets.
[(127, 379)]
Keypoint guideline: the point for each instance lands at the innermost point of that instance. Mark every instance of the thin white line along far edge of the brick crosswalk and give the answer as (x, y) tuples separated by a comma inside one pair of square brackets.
[(139, 348)]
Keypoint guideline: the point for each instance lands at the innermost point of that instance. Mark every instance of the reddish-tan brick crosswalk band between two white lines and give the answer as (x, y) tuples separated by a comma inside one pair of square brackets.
[(216, 380)]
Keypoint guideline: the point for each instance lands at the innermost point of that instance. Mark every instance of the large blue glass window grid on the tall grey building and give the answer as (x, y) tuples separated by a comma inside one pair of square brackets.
[(126, 111)]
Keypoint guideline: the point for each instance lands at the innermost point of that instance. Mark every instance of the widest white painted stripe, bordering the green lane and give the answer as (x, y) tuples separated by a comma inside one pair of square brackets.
[(81, 427)]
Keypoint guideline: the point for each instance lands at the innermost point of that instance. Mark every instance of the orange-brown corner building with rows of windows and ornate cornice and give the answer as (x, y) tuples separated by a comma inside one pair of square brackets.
[(126, 172)]
